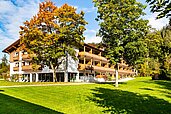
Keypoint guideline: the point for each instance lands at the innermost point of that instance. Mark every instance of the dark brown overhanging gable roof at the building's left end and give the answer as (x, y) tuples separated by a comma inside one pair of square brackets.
[(12, 47)]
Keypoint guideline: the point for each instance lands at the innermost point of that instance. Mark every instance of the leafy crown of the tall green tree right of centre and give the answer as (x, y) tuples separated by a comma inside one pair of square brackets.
[(122, 29)]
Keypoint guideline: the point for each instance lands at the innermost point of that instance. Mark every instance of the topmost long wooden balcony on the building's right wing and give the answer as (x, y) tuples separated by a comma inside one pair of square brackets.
[(93, 56)]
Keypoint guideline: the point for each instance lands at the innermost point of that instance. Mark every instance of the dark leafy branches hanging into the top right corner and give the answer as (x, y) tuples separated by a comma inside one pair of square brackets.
[(161, 6)]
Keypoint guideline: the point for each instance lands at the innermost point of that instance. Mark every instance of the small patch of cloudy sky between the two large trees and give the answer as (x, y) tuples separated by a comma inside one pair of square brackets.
[(90, 36)]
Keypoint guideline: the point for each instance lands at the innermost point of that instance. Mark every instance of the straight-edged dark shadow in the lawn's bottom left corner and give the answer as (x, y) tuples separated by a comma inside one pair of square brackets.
[(11, 105)]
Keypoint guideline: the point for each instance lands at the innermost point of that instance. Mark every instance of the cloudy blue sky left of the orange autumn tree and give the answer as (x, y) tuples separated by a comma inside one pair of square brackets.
[(13, 14)]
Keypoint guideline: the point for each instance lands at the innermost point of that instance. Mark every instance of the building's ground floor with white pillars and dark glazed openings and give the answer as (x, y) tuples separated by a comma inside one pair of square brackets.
[(82, 76)]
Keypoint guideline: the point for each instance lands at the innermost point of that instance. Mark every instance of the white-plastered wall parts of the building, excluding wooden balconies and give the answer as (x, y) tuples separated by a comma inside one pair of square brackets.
[(72, 66)]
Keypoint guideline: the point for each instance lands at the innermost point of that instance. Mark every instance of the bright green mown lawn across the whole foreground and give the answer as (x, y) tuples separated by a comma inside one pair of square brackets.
[(139, 96)]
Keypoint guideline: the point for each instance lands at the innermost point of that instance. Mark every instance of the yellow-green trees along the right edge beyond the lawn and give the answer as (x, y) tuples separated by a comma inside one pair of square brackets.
[(158, 54)]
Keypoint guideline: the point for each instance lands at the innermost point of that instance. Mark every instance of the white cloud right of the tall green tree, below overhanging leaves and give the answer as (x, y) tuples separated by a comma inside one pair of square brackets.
[(157, 23)]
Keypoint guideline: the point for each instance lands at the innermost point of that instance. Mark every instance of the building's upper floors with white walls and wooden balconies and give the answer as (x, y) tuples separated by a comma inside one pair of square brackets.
[(88, 57)]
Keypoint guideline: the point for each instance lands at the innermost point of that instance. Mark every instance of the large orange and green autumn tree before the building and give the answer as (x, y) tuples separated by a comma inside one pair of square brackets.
[(53, 34)]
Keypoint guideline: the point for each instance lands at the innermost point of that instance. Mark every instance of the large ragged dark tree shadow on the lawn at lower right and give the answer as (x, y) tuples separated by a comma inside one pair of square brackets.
[(118, 101)]
